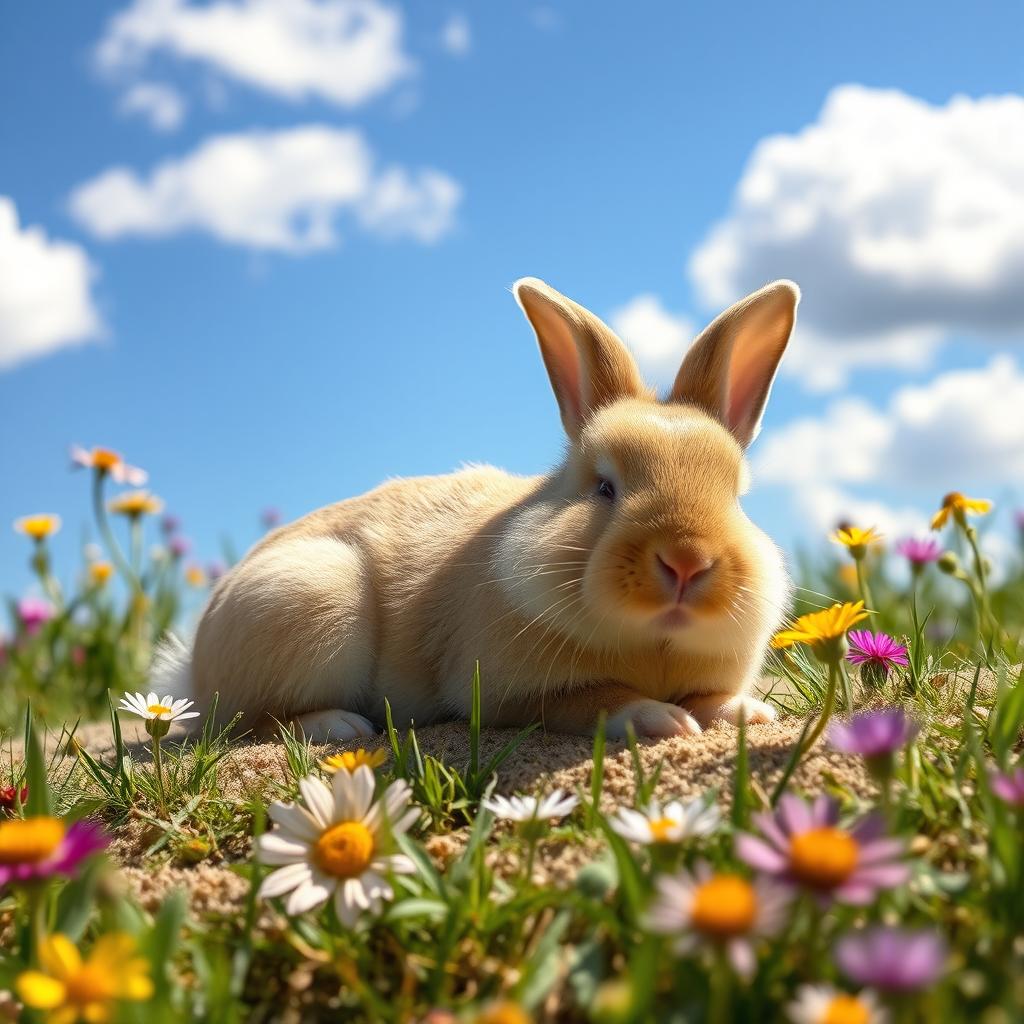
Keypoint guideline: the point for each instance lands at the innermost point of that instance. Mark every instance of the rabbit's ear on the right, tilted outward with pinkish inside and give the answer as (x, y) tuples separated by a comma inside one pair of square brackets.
[(730, 370)]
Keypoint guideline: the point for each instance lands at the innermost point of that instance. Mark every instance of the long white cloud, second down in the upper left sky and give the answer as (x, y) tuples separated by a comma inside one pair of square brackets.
[(283, 191)]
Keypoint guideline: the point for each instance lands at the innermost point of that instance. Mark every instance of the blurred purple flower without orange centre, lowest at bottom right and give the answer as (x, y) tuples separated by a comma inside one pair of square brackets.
[(891, 959)]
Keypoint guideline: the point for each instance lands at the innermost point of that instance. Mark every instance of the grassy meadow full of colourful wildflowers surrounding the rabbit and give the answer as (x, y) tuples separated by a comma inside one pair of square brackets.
[(400, 885)]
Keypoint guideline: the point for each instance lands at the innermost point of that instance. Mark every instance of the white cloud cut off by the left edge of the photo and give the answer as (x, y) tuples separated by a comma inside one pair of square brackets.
[(46, 301)]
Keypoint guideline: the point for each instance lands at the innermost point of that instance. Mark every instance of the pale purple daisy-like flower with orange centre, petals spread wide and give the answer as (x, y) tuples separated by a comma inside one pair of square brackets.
[(802, 845)]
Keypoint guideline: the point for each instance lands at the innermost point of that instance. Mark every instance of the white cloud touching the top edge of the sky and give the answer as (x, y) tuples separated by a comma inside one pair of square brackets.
[(343, 52)]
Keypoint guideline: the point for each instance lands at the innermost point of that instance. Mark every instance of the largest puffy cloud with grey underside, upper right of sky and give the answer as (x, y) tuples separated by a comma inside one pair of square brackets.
[(902, 221)]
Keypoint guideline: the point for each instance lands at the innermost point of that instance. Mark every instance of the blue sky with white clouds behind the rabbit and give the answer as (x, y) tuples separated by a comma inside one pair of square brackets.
[(596, 146)]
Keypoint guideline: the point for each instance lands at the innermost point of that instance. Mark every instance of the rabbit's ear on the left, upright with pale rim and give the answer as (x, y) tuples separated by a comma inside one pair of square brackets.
[(589, 367)]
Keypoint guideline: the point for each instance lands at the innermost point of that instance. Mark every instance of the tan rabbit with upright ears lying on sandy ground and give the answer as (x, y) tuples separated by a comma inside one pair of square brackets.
[(628, 581)]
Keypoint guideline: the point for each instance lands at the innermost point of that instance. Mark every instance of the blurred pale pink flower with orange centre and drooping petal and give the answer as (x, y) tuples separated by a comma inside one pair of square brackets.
[(722, 909)]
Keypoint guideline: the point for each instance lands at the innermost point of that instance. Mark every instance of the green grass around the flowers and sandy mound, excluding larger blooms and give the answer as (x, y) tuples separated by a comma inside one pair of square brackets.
[(474, 932)]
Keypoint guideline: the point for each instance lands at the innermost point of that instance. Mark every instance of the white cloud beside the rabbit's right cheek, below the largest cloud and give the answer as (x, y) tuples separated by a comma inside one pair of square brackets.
[(962, 430)]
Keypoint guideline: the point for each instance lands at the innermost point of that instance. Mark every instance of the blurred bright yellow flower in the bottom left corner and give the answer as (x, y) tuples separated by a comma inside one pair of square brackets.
[(71, 989)]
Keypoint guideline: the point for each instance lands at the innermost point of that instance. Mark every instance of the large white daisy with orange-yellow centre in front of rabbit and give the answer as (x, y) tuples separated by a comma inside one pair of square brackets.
[(336, 845)]
